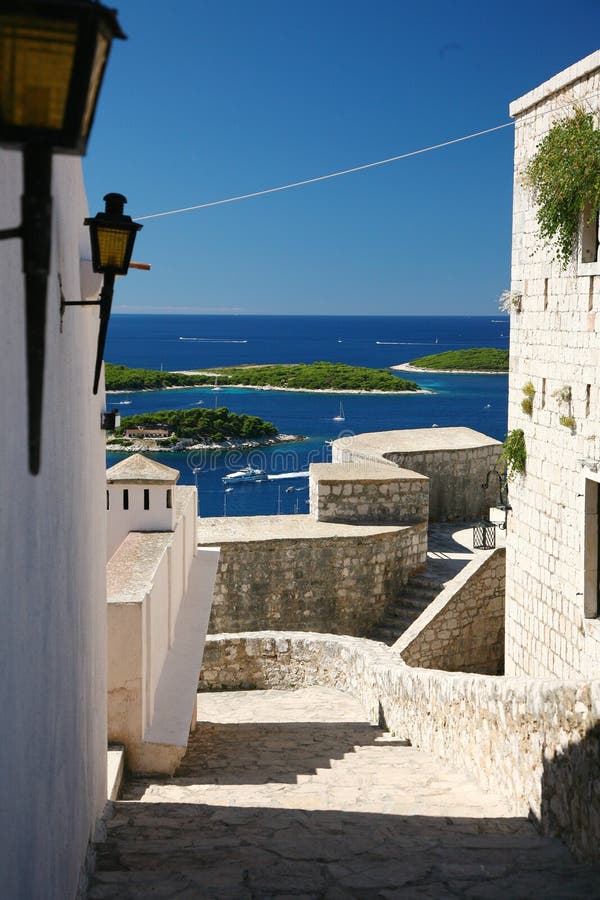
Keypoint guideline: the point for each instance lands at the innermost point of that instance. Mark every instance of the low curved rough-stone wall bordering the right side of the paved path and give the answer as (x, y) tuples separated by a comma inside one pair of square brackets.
[(535, 742)]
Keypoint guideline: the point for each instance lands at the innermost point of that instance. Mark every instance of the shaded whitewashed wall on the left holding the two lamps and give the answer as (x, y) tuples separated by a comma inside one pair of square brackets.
[(52, 565)]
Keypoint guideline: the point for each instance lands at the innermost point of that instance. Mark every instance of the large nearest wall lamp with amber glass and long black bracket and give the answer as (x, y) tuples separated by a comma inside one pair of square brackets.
[(52, 59)]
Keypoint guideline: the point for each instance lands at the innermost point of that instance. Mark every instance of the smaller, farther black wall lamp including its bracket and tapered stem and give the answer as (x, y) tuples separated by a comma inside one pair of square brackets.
[(112, 236)]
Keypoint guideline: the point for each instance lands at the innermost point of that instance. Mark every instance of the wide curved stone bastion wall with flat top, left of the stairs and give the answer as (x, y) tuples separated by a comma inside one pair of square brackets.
[(291, 572)]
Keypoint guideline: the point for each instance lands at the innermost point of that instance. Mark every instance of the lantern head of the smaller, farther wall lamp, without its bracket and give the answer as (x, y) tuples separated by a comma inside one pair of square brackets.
[(112, 236)]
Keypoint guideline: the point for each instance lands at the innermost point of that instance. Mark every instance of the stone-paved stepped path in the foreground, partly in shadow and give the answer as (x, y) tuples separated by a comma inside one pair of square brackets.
[(294, 795)]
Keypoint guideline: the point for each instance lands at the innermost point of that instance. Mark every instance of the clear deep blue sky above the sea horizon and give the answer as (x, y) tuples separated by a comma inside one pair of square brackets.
[(214, 98)]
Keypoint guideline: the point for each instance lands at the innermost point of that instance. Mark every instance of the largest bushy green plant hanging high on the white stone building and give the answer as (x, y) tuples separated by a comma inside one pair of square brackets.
[(565, 177)]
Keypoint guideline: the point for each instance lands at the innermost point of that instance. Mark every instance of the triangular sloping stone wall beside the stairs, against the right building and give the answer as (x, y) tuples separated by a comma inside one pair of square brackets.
[(462, 630)]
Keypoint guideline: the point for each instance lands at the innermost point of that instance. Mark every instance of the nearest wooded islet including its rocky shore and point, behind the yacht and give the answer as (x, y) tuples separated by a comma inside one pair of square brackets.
[(179, 429)]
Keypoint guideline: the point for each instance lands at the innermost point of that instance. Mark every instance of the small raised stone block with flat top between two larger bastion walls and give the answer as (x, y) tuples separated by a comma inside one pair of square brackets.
[(375, 494)]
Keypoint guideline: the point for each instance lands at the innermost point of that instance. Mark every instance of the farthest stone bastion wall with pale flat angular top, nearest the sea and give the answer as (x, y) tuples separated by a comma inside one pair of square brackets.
[(456, 461)]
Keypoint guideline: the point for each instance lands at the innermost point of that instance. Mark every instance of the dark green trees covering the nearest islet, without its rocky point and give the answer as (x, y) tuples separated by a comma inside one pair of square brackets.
[(196, 425)]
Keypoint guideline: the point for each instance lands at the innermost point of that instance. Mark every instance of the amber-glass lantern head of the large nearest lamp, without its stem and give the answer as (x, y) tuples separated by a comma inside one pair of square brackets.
[(52, 59)]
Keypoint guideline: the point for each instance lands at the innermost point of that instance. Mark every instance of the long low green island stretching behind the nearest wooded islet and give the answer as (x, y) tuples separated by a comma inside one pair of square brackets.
[(317, 376)]
